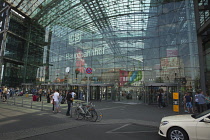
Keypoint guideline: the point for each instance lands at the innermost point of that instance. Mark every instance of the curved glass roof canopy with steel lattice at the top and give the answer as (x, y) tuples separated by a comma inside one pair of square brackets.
[(107, 19)]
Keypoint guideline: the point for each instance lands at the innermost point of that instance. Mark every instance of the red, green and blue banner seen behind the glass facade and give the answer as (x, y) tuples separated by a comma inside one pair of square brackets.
[(129, 77)]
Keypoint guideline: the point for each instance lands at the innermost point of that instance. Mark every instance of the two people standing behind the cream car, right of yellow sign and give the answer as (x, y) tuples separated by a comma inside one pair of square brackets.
[(202, 102)]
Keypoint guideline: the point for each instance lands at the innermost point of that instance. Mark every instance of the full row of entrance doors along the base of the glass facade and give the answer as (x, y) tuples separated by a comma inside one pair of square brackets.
[(108, 92)]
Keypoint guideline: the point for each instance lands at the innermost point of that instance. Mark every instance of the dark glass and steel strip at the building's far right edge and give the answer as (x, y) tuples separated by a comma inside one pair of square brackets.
[(203, 17)]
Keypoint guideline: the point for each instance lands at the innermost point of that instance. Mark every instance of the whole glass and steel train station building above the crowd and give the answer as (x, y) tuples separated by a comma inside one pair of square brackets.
[(133, 47)]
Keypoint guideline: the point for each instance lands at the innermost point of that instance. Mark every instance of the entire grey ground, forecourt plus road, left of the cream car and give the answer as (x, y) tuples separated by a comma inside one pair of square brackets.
[(22, 118)]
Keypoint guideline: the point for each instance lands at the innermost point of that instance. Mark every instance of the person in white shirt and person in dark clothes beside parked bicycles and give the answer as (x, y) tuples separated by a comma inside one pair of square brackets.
[(56, 99)]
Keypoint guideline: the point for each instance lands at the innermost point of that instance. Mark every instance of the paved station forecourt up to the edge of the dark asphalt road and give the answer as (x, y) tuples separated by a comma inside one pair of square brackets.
[(18, 122)]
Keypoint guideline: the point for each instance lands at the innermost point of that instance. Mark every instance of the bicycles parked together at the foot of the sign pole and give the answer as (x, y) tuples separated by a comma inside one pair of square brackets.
[(87, 112)]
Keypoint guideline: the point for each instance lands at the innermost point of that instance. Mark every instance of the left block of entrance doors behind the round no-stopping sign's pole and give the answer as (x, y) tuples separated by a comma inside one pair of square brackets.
[(97, 92)]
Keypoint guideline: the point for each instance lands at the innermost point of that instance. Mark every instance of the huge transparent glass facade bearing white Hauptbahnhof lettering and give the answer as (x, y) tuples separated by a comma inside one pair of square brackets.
[(127, 43)]
